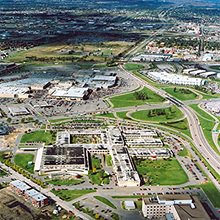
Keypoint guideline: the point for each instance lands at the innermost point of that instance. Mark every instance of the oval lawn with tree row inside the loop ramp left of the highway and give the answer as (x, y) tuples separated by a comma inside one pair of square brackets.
[(158, 115)]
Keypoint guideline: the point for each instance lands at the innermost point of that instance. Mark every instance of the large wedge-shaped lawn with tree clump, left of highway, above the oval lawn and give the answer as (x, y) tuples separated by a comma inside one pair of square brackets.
[(135, 99)]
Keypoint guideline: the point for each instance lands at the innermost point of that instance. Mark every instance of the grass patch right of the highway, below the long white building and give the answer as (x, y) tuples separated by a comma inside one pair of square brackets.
[(181, 93)]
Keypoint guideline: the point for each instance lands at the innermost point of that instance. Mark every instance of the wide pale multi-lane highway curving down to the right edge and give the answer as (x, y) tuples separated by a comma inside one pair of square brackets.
[(197, 134)]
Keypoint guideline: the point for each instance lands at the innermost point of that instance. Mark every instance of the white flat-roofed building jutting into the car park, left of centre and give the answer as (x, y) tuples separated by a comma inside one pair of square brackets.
[(73, 93)]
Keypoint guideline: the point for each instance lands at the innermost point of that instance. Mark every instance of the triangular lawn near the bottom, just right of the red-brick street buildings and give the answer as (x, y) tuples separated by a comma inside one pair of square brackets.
[(69, 195)]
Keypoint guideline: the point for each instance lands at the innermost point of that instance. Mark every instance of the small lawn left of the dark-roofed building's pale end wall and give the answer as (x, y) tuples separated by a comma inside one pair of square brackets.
[(22, 161)]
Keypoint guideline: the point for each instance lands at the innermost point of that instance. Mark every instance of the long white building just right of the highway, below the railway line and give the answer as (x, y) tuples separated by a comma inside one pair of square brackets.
[(168, 78)]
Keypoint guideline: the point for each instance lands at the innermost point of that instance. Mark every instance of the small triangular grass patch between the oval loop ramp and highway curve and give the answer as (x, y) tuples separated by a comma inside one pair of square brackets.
[(181, 126)]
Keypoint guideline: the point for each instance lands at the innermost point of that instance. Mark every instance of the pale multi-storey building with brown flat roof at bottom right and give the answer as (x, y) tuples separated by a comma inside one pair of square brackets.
[(177, 207)]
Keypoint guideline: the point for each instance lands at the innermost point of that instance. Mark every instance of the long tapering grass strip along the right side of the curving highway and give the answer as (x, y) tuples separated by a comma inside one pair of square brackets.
[(207, 123)]
